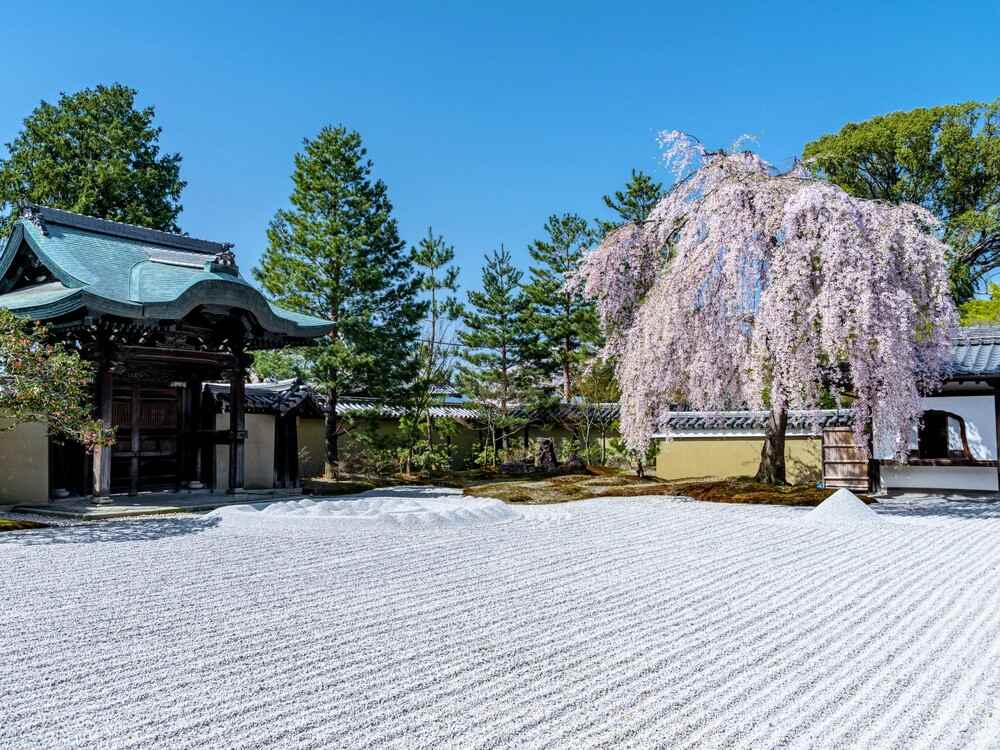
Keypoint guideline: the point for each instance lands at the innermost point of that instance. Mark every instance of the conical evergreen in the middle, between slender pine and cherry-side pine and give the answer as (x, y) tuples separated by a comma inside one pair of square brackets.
[(499, 370)]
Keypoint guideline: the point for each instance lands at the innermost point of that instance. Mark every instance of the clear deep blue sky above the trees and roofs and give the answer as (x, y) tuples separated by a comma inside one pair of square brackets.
[(483, 122)]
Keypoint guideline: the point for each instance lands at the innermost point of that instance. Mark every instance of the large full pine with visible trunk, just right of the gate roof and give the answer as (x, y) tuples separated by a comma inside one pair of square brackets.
[(336, 254)]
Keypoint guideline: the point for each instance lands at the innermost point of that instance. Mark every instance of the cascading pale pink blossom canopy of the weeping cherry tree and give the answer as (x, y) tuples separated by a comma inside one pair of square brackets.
[(747, 287)]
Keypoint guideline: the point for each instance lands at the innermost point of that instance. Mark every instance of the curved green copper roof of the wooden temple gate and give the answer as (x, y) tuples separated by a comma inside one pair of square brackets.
[(118, 269)]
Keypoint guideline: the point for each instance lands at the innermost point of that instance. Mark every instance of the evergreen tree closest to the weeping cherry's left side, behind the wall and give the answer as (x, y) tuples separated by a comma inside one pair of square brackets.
[(564, 321)]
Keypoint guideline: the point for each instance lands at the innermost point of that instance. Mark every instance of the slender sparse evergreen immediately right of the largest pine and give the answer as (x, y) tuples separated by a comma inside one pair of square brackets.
[(439, 283)]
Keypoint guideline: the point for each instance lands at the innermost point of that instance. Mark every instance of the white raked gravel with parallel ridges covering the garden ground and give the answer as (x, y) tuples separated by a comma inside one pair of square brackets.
[(643, 622)]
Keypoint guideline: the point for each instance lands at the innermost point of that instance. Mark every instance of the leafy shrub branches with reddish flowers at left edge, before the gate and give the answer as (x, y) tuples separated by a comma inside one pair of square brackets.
[(43, 381)]
